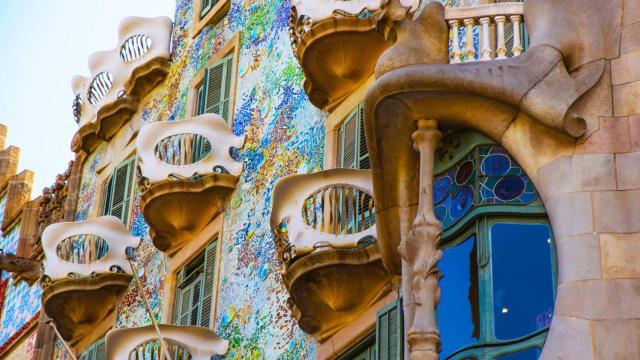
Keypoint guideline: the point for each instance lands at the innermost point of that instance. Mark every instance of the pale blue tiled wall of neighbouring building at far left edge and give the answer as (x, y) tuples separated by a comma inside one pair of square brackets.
[(21, 302)]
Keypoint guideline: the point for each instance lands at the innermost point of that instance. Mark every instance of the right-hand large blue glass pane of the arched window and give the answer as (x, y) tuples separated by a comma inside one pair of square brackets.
[(522, 278)]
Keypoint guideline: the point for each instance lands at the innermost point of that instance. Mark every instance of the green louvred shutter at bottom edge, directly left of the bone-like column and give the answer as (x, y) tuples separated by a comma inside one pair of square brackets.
[(389, 332)]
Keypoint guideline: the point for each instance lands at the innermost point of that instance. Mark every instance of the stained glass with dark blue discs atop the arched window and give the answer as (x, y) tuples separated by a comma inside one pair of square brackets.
[(461, 188)]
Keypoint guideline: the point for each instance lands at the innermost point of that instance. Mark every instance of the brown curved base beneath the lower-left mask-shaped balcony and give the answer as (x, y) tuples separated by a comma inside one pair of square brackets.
[(80, 306)]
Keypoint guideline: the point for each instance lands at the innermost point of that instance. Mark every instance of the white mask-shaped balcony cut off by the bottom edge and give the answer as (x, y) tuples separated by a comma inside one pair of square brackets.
[(183, 342)]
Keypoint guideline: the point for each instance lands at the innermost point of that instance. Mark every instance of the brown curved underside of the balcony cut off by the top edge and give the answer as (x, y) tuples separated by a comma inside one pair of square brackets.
[(330, 54)]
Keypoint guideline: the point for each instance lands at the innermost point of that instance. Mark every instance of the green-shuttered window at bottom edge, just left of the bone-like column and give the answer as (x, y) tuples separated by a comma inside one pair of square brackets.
[(386, 342)]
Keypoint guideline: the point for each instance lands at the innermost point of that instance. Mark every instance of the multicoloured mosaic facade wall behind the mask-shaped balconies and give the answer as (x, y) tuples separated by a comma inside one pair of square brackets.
[(284, 134)]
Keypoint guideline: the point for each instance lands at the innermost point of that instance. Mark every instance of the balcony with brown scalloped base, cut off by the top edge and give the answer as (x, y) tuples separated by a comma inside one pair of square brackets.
[(329, 38)]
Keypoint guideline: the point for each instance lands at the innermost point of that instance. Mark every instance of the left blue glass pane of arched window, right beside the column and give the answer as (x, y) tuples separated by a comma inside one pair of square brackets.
[(458, 312)]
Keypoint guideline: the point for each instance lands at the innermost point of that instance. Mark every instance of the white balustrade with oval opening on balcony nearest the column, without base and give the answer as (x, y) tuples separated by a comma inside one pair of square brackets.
[(330, 209)]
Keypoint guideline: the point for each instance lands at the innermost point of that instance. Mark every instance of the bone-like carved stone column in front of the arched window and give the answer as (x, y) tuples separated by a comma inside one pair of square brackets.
[(420, 251)]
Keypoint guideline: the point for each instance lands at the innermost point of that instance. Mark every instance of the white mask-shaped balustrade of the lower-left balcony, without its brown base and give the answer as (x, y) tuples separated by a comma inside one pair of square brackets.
[(88, 248)]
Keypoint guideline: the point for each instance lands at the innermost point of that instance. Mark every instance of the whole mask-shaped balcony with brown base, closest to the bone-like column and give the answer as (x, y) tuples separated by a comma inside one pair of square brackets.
[(324, 226)]
